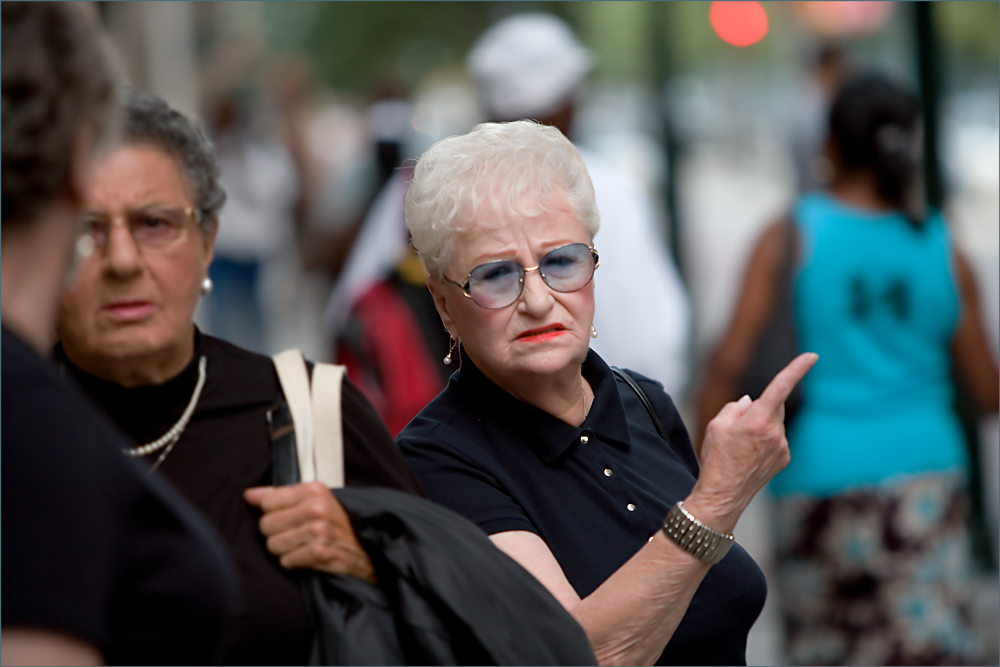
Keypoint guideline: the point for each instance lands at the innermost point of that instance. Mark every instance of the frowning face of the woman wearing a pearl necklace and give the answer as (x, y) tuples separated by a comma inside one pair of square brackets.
[(136, 294)]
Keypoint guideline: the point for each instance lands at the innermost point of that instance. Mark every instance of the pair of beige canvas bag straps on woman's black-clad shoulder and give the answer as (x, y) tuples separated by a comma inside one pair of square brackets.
[(316, 413)]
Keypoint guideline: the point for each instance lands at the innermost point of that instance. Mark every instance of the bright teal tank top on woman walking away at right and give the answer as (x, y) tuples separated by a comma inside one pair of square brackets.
[(876, 299)]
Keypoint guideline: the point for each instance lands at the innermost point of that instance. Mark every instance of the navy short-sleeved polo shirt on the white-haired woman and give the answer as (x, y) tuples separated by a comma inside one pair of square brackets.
[(594, 493)]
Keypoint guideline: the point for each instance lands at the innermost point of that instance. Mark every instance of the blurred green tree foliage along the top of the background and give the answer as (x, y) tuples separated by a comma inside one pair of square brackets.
[(364, 47)]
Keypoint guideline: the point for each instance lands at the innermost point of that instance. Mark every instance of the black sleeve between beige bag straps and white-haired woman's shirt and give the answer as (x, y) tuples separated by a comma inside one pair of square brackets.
[(371, 457)]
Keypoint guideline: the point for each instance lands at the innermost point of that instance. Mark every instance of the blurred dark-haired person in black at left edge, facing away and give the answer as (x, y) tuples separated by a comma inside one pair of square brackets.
[(103, 564)]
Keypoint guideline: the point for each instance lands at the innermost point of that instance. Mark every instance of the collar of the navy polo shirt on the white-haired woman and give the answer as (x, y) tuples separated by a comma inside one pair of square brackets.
[(548, 436)]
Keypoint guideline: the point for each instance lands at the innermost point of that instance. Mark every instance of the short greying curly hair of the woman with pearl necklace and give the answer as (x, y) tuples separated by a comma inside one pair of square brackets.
[(149, 120)]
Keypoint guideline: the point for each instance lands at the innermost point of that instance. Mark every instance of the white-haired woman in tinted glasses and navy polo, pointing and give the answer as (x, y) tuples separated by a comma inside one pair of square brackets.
[(582, 473)]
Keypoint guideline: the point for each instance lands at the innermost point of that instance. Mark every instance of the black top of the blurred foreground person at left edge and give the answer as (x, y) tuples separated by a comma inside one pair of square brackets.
[(93, 546)]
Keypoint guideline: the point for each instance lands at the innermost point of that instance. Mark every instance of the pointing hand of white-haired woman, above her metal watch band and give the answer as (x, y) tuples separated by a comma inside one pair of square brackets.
[(744, 447)]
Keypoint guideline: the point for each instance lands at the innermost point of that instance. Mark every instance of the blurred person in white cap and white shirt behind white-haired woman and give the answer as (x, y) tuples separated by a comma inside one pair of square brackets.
[(533, 66)]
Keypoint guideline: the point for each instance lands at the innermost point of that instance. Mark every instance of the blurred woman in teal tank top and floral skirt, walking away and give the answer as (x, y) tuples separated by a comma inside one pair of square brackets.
[(872, 542)]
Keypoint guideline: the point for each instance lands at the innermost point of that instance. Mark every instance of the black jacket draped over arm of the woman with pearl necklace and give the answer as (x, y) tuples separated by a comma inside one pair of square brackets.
[(456, 599)]
